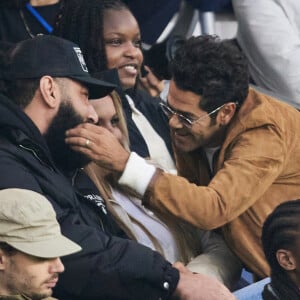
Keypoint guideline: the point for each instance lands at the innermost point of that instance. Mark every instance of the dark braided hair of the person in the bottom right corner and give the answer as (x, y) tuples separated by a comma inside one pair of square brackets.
[(280, 231)]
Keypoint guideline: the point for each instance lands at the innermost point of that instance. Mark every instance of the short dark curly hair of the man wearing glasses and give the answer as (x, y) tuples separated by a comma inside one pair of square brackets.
[(213, 68)]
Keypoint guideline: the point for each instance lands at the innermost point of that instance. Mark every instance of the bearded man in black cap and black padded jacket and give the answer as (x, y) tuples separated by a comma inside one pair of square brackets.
[(48, 87)]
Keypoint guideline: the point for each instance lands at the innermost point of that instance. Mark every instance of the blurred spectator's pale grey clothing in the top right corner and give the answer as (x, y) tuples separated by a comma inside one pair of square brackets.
[(269, 35)]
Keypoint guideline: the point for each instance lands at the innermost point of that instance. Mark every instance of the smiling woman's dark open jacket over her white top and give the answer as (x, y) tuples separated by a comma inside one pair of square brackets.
[(149, 107)]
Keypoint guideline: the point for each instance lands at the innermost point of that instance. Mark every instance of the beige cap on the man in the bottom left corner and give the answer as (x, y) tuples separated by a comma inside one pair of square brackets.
[(28, 223)]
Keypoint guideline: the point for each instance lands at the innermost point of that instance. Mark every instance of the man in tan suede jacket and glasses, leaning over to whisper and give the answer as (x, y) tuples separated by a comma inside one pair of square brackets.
[(237, 150)]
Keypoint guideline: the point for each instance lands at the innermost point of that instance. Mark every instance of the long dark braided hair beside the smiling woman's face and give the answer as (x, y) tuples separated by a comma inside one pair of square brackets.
[(81, 21)]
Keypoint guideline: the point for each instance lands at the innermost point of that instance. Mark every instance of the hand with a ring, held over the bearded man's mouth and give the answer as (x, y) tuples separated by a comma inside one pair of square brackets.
[(99, 144)]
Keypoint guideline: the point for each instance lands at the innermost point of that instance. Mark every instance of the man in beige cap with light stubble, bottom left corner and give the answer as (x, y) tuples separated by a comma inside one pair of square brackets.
[(30, 246)]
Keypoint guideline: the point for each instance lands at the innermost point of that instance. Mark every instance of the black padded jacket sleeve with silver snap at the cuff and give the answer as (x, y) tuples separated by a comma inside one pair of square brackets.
[(112, 268)]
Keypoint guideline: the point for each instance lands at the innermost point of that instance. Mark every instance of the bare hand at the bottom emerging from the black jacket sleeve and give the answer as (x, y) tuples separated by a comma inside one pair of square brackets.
[(199, 287)]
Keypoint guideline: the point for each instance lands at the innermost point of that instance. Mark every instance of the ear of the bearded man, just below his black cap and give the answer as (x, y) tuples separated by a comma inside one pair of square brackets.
[(50, 91)]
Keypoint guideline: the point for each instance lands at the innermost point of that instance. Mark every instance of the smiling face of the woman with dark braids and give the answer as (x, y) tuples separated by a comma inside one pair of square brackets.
[(123, 45)]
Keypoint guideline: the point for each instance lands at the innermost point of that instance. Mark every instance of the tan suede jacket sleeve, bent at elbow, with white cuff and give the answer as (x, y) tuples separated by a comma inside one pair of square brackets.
[(252, 163)]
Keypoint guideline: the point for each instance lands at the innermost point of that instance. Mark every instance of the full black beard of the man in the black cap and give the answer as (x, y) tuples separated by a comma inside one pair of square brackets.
[(64, 157)]
